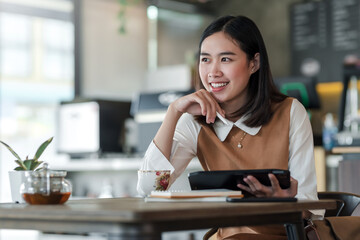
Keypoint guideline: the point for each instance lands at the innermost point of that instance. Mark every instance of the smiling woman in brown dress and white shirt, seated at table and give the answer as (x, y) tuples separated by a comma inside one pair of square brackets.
[(238, 120)]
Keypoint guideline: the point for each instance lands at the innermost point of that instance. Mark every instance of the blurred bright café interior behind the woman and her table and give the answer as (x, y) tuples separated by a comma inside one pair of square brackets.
[(98, 75)]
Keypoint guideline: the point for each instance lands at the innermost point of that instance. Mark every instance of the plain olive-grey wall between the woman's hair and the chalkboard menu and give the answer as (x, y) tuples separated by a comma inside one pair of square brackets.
[(272, 17)]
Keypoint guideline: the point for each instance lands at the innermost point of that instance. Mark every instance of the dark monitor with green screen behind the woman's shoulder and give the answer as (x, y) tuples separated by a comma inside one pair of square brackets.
[(300, 87)]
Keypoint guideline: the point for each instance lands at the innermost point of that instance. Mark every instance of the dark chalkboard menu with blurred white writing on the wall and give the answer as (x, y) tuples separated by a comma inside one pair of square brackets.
[(324, 35)]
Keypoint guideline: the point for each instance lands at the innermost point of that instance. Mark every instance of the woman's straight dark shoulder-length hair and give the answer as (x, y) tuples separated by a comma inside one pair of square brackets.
[(261, 89)]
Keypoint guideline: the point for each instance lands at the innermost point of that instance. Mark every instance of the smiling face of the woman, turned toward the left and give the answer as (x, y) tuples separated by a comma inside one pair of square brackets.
[(225, 70)]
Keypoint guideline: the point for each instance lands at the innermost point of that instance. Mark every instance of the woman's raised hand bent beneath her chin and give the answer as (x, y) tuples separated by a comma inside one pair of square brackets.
[(199, 103)]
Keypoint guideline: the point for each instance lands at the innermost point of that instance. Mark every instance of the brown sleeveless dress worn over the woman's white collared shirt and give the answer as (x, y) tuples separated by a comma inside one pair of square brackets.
[(269, 148)]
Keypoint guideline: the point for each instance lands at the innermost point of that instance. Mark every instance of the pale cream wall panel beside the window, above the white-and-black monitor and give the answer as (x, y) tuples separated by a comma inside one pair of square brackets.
[(113, 64)]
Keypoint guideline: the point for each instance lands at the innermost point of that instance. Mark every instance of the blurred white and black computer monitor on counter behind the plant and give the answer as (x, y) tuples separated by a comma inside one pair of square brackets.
[(92, 127)]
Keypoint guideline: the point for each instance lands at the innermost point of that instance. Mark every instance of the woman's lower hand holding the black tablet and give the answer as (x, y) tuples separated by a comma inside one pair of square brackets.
[(260, 190)]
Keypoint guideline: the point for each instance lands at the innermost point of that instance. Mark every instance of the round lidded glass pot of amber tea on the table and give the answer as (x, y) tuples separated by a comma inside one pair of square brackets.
[(46, 187)]
